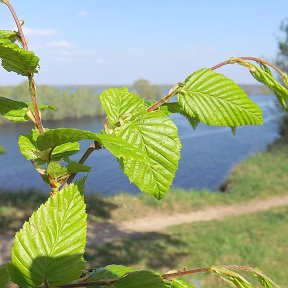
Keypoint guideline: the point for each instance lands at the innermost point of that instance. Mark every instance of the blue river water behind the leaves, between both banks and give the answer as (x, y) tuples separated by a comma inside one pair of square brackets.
[(207, 156)]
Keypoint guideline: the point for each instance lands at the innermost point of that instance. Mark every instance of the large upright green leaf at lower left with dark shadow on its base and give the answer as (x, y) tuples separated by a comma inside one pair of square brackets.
[(50, 246)]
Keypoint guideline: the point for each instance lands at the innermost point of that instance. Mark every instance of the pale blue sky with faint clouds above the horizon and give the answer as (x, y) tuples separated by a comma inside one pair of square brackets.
[(120, 41)]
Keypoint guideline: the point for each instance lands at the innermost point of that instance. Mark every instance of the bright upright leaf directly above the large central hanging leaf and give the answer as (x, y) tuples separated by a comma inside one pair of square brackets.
[(119, 103)]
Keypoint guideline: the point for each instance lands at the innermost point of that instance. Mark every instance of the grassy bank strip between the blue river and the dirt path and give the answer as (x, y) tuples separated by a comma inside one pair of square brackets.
[(261, 176)]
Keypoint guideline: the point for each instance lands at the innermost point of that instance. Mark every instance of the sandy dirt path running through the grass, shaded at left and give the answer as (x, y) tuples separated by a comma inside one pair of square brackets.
[(107, 232)]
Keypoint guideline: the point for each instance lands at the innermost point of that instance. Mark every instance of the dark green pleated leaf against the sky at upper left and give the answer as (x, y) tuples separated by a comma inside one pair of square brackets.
[(17, 59)]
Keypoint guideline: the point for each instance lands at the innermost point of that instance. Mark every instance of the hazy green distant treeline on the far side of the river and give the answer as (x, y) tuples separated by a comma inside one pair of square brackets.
[(83, 101)]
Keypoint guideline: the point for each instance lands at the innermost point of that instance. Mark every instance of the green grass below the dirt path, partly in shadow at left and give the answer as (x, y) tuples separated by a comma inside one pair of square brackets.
[(258, 240)]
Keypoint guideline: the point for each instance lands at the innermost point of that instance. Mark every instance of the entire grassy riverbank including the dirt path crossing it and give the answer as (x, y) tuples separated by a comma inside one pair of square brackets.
[(236, 229)]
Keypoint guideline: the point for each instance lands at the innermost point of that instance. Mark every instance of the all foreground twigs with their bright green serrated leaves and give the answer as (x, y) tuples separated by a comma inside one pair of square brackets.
[(48, 250)]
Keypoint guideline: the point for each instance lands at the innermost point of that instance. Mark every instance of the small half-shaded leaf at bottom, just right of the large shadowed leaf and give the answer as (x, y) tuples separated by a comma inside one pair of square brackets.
[(109, 272)]
